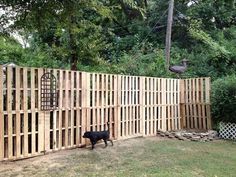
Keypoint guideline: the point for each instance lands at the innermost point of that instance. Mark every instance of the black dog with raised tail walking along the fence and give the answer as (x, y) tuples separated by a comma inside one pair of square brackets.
[(95, 136)]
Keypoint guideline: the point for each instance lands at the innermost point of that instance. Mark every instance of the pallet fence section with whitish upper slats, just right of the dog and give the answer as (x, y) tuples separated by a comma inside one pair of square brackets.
[(129, 106)]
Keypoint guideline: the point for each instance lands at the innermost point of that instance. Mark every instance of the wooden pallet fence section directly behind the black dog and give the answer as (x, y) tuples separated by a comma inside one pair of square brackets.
[(102, 99)]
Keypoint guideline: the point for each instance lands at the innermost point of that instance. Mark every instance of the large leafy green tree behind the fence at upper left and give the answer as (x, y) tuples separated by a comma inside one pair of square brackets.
[(74, 27)]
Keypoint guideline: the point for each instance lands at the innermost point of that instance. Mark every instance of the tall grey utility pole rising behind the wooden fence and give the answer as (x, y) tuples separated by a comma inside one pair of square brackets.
[(168, 33)]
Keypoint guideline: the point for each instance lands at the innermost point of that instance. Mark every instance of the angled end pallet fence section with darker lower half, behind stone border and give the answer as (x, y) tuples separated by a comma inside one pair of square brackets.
[(195, 103)]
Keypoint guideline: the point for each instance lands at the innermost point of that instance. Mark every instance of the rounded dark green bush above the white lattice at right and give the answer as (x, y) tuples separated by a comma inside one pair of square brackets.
[(224, 99)]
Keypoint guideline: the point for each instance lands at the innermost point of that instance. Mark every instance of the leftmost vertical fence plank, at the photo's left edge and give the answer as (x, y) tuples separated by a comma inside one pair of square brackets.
[(1, 116)]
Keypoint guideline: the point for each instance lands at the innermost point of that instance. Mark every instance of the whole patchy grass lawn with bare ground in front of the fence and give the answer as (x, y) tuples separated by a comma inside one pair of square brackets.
[(134, 157)]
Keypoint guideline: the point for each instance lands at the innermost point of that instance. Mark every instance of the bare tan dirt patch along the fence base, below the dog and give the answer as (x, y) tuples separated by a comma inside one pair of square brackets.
[(54, 163)]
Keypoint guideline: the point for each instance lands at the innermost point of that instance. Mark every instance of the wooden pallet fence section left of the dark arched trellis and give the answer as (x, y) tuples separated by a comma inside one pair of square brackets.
[(19, 112)]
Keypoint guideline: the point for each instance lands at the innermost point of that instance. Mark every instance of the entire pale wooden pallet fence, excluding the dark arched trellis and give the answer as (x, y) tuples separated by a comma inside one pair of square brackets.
[(133, 105)]
